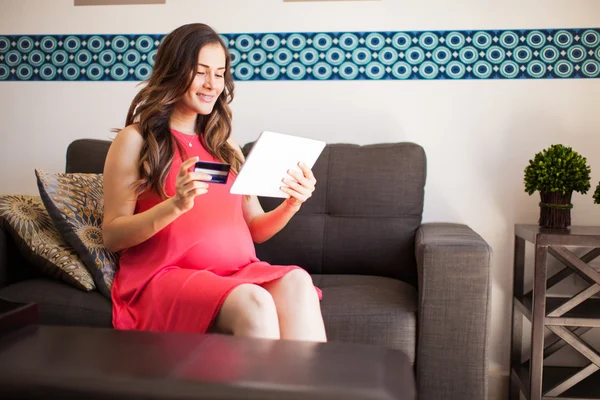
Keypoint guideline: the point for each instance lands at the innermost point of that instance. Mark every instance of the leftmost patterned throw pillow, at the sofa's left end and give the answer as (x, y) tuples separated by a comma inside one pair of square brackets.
[(27, 221)]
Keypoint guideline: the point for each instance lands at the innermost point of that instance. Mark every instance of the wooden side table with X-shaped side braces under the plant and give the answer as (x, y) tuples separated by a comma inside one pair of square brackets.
[(567, 318)]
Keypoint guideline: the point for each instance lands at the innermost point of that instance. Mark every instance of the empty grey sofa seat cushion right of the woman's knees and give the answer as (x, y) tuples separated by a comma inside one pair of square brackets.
[(369, 309)]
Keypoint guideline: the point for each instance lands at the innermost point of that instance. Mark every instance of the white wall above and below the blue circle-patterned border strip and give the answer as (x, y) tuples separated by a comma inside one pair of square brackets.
[(478, 135)]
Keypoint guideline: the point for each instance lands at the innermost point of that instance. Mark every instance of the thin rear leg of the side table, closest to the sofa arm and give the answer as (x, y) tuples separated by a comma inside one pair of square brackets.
[(516, 347)]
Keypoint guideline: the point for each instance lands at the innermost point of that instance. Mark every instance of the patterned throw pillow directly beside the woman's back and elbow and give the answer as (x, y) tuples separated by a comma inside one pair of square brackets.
[(75, 203)]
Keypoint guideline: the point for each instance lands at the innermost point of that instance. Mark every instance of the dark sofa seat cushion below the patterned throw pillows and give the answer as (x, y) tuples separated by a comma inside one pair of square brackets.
[(61, 304)]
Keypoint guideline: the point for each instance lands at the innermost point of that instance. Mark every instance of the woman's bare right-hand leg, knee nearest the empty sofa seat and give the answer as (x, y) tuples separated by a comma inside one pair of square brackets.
[(298, 307)]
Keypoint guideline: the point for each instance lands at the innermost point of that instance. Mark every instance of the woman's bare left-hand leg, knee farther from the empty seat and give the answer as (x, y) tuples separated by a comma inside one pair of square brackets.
[(248, 310)]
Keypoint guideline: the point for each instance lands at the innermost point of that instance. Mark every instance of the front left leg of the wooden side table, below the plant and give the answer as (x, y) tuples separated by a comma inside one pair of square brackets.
[(537, 316)]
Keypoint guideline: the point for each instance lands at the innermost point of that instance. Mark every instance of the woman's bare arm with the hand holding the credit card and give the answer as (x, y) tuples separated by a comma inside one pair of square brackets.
[(121, 227)]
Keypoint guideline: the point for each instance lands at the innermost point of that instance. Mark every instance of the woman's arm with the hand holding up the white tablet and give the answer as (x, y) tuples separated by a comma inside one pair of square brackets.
[(264, 226)]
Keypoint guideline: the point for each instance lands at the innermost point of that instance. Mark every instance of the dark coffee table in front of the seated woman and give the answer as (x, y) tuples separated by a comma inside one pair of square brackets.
[(95, 363)]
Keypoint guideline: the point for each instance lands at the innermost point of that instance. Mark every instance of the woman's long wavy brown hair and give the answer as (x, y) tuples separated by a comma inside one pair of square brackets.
[(174, 71)]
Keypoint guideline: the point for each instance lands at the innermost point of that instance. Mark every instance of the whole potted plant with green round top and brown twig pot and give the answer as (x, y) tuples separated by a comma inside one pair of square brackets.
[(556, 172)]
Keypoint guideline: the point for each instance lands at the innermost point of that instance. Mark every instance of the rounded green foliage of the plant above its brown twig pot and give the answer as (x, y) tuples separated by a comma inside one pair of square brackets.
[(557, 169)]
